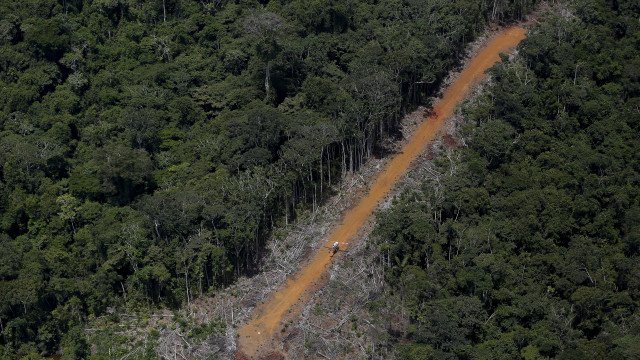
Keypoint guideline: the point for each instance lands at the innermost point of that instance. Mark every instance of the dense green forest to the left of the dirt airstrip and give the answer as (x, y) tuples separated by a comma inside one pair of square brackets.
[(147, 147)]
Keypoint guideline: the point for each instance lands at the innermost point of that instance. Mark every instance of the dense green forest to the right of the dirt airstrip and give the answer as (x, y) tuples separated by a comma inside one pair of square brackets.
[(529, 245)]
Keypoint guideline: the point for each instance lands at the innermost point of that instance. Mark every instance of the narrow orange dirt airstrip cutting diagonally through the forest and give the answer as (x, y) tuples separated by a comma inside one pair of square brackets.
[(256, 336)]
